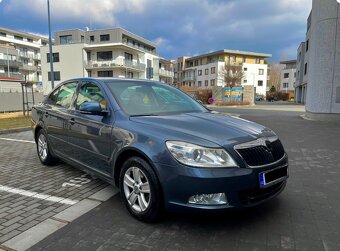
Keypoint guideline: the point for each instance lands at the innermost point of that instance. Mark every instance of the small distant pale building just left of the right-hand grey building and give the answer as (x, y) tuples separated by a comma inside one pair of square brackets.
[(288, 77)]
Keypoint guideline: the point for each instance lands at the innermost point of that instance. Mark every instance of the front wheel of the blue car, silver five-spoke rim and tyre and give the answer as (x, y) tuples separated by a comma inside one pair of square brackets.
[(140, 190)]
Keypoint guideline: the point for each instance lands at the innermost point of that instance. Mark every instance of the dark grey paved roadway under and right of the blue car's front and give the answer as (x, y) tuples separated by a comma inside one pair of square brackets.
[(306, 216)]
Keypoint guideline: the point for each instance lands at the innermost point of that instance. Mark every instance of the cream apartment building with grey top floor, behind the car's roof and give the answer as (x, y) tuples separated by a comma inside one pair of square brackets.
[(103, 53)]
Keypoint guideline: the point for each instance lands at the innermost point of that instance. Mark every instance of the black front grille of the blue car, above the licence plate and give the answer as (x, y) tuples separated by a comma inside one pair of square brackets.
[(262, 155)]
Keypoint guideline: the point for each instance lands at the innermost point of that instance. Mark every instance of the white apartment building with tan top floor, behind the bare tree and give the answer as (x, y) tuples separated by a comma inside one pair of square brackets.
[(204, 71)]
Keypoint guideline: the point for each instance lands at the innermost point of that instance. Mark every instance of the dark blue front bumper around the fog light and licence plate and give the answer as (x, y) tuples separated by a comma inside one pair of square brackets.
[(240, 185)]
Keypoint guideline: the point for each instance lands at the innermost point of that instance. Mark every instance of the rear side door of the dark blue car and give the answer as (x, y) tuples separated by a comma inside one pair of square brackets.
[(56, 116)]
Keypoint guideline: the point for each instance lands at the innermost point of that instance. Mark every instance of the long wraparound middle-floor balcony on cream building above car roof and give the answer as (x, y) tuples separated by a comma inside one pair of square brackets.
[(117, 63)]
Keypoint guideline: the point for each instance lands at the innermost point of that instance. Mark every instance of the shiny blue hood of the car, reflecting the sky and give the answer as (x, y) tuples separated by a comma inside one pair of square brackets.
[(215, 127)]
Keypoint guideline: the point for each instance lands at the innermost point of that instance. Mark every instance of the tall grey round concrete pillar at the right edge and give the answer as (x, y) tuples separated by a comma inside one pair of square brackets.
[(324, 62)]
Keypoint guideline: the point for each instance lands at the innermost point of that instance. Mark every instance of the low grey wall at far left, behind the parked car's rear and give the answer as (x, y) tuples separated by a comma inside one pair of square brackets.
[(10, 102)]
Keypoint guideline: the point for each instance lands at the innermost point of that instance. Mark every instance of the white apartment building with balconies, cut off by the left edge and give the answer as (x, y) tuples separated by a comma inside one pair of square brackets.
[(20, 57)]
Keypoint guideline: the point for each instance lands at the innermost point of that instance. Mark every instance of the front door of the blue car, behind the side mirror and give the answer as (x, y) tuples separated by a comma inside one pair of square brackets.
[(91, 134)]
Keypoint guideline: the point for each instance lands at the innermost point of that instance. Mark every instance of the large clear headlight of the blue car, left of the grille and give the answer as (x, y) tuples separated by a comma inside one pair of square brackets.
[(199, 156)]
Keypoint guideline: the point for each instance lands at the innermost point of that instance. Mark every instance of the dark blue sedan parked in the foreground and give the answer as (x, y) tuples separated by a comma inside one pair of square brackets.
[(163, 149)]
